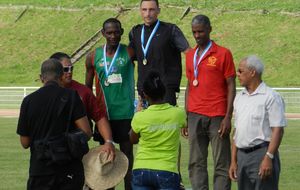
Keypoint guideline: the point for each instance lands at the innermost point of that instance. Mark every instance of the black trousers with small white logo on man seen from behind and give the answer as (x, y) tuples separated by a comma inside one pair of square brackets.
[(60, 181)]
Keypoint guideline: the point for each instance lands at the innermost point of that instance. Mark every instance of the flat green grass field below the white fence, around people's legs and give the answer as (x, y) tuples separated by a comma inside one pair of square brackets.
[(14, 160)]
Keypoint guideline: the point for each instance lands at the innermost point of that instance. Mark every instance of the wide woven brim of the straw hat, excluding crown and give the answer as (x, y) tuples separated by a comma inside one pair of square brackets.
[(99, 182)]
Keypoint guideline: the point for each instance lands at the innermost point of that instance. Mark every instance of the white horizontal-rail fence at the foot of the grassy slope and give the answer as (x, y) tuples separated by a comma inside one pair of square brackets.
[(11, 97)]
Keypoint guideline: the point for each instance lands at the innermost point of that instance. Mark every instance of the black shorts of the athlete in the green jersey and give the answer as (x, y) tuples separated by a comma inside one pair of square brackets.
[(120, 131)]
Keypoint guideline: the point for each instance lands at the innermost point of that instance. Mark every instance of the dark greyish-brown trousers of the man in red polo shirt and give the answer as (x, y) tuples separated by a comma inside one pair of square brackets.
[(202, 130)]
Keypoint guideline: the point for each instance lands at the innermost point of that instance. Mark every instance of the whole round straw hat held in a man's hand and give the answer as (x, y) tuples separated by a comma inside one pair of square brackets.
[(101, 172)]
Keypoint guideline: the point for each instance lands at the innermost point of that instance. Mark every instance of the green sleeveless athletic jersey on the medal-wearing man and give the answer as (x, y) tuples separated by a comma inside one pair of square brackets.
[(118, 86)]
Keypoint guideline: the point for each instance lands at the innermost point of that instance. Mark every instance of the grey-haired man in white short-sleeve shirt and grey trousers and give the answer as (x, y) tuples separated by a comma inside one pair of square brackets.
[(259, 121)]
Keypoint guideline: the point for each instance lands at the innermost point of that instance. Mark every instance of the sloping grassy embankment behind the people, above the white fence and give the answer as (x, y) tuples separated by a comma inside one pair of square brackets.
[(245, 27)]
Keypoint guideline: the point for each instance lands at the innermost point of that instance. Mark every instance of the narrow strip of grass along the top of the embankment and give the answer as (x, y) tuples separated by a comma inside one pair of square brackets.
[(278, 5)]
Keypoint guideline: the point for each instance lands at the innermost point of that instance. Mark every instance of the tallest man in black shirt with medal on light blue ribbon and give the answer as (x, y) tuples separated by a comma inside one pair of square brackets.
[(158, 46)]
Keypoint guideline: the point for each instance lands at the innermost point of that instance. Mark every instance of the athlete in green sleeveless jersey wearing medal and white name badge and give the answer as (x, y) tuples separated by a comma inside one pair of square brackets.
[(112, 68)]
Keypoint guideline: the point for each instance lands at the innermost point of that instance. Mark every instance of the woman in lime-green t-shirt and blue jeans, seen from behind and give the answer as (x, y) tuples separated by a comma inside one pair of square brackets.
[(157, 132)]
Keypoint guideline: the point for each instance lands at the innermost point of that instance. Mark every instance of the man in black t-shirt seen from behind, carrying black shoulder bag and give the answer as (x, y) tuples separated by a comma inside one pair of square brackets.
[(43, 115)]
